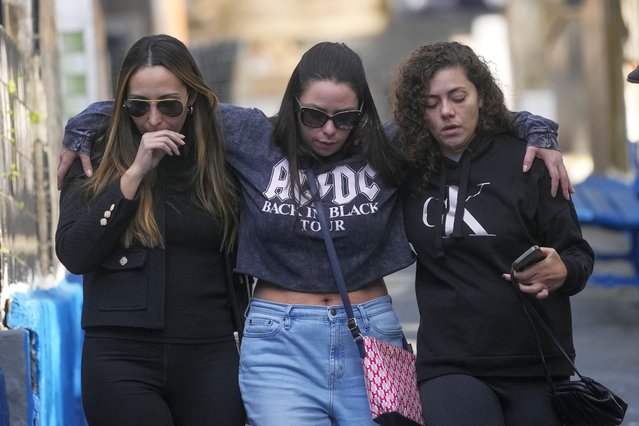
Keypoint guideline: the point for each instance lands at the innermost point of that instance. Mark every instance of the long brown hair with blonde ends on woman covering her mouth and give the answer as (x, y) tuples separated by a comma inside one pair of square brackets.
[(215, 186)]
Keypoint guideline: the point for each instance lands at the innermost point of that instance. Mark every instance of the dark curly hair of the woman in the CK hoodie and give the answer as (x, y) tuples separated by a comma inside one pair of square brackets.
[(409, 101)]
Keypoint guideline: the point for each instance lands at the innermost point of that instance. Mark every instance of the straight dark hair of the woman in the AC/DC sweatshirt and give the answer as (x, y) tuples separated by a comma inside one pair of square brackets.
[(335, 62)]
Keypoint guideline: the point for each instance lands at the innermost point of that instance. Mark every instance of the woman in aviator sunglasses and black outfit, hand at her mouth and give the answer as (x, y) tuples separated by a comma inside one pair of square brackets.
[(152, 232)]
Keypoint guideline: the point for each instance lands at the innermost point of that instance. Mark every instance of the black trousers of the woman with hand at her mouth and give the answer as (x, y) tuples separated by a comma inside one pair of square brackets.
[(127, 382)]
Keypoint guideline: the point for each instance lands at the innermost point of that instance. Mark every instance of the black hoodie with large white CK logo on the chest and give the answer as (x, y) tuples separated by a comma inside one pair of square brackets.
[(476, 217)]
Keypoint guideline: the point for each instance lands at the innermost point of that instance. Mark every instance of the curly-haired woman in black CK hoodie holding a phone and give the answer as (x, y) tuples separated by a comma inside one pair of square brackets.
[(469, 212)]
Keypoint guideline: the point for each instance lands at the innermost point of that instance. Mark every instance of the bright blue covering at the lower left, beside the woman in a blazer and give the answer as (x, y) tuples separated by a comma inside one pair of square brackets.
[(53, 316)]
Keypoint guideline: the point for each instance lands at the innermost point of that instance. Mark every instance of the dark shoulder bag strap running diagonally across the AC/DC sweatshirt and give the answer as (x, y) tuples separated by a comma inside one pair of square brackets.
[(352, 325)]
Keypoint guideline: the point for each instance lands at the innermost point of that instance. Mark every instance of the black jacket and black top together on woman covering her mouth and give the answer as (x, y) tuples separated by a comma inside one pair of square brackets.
[(177, 294)]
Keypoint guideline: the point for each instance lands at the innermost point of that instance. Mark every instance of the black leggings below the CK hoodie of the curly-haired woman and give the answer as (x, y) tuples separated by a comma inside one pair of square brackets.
[(461, 400)]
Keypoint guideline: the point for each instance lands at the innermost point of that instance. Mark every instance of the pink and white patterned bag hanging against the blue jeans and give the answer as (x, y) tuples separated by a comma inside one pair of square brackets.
[(391, 384)]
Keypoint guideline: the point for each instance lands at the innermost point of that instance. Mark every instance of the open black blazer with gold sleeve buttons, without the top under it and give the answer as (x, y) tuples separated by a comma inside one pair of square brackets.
[(122, 286)]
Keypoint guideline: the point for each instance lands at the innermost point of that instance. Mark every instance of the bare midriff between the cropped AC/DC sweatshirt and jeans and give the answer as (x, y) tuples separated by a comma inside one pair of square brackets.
[(274, 293)]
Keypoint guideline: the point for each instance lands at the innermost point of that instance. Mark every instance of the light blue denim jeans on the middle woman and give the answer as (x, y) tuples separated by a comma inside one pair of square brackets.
[(300, 366)]
